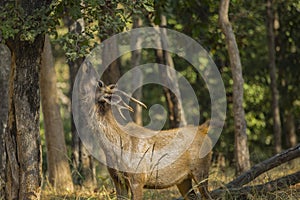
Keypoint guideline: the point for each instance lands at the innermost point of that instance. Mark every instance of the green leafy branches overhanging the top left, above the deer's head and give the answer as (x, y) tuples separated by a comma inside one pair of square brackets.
[(101, 19)]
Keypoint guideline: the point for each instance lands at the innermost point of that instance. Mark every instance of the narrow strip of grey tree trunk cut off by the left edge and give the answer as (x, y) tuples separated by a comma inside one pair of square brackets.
[(4, 86)]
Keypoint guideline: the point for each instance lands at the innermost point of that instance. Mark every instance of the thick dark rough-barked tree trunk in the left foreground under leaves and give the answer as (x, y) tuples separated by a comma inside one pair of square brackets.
[(23, 145)]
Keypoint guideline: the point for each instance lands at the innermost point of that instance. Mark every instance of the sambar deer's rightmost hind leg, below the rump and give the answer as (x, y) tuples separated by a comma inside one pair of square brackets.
[(201, 179)]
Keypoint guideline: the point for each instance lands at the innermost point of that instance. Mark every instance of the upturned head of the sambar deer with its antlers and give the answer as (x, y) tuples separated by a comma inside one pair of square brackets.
[(107, 96)]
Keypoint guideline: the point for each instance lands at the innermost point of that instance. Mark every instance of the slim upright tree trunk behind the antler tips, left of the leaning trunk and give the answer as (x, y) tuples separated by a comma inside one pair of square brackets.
[(138, 75)]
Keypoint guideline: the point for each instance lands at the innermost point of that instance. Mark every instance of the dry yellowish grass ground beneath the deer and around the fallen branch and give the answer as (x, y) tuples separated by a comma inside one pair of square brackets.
[(218, 178)]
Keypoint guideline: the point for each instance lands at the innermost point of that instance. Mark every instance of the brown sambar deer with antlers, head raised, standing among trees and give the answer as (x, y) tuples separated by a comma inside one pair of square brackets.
[(132, 139)]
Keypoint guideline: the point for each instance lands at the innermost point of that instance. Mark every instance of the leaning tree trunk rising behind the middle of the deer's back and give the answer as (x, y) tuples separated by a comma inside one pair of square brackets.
[(174, 103)]
